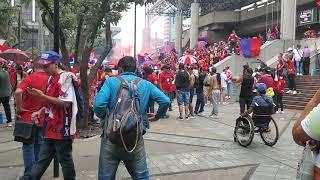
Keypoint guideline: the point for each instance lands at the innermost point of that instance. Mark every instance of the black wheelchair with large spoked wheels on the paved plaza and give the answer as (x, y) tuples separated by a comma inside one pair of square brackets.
[(260, 122)]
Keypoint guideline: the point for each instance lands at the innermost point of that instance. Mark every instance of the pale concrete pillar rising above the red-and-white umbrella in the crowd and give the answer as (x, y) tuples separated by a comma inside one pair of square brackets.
[(194, 30)]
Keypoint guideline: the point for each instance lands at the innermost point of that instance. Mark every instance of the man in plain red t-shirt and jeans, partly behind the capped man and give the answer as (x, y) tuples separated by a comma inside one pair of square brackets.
[(26, 107)]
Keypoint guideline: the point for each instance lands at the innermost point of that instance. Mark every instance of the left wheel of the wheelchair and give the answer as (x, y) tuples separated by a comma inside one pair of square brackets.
[(244, 131)]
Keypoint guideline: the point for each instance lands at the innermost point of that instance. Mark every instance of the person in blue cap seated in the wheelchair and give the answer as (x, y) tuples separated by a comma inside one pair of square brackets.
[(261, 107)]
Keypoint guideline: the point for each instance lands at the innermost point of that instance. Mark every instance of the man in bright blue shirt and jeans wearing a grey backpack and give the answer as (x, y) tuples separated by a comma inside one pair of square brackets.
[(122, 137)]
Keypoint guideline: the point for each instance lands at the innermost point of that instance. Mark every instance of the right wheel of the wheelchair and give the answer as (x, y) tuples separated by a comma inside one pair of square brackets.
[(270, 135)]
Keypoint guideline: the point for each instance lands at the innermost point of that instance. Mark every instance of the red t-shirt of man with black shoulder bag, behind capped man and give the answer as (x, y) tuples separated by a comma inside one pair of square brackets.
[(37, 80)]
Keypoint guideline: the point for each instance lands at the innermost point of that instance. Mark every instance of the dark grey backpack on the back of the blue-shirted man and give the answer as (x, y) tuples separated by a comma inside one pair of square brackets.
[(124, 126)]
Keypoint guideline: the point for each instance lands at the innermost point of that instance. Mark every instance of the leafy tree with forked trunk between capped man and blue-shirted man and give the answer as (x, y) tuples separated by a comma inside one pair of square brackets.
[(80, 22)]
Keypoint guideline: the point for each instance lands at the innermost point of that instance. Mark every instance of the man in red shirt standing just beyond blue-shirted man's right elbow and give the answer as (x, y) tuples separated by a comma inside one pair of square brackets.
[(166, 78)]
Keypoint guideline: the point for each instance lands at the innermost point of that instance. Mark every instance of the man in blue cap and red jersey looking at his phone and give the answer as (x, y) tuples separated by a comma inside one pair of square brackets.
[(61, 110)]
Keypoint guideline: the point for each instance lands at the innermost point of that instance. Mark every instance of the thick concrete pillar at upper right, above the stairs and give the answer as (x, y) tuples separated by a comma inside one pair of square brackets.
[(288, 19)]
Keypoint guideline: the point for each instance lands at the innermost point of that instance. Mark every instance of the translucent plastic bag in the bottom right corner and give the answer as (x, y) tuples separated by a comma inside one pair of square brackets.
[(306, 164)]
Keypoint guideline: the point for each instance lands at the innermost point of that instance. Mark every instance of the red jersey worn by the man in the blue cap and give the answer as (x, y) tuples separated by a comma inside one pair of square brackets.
[(58, 120)]
